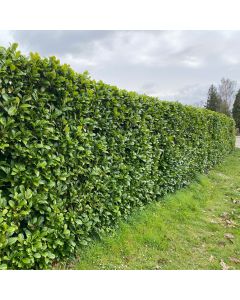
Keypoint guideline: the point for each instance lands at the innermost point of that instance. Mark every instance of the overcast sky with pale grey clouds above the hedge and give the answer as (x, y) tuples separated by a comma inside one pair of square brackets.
[(172, 65)]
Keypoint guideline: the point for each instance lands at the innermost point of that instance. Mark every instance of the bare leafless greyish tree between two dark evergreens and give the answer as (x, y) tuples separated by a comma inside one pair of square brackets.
[(226, 93)]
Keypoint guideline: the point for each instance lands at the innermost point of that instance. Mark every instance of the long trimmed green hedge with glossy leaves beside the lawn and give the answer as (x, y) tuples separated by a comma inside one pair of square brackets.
[(76, 155)]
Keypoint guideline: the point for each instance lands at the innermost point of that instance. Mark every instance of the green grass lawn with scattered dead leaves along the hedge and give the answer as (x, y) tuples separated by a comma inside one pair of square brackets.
[(186, 230)]
